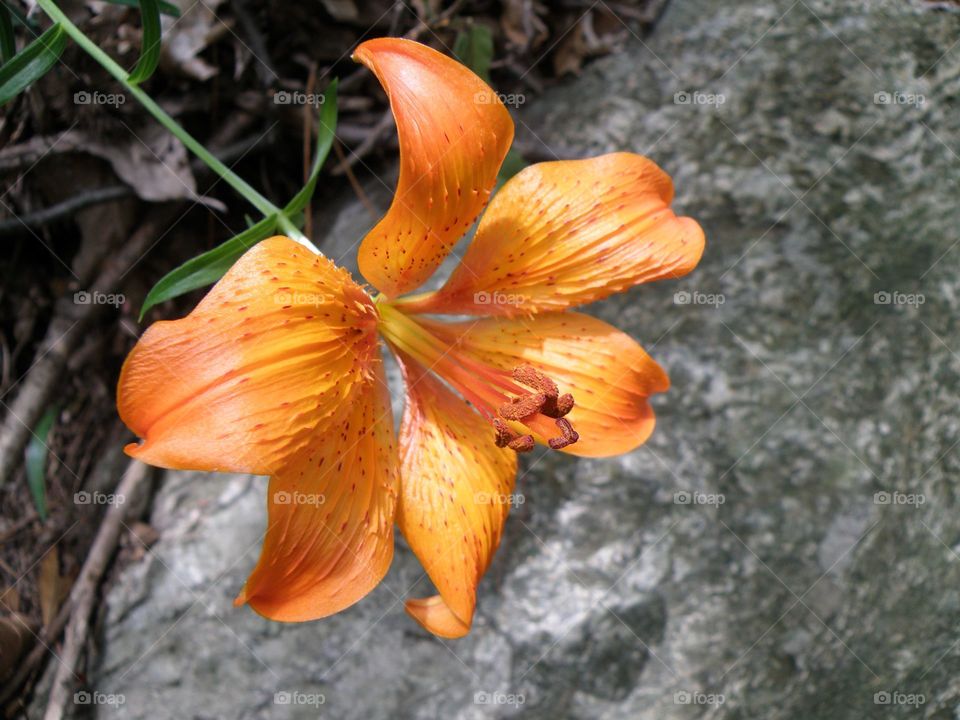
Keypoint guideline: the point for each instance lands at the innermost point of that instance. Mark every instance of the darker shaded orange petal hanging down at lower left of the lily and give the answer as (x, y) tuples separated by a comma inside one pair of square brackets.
[(329, 538)]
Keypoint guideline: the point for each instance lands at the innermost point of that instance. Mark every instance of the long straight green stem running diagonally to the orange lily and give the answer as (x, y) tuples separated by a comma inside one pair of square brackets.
[(236, 182)]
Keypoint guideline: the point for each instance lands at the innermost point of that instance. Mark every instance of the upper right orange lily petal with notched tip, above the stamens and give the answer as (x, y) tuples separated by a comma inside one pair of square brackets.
[(561, 234)]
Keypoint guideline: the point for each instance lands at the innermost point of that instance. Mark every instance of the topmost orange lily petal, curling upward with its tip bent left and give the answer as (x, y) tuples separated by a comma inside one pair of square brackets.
[(454, 133)]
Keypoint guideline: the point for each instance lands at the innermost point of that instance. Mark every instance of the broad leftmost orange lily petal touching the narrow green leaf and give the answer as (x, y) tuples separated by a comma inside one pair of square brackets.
[(246, 379)]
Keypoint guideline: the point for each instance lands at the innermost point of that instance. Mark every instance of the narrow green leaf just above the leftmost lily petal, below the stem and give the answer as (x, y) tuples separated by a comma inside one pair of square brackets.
[(209, 267)]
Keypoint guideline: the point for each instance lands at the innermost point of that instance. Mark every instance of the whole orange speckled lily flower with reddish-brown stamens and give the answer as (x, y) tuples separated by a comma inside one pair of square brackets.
[(278, 369)]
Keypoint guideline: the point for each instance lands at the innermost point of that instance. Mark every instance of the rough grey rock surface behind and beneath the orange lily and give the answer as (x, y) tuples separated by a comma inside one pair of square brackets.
[(798, 395)]
